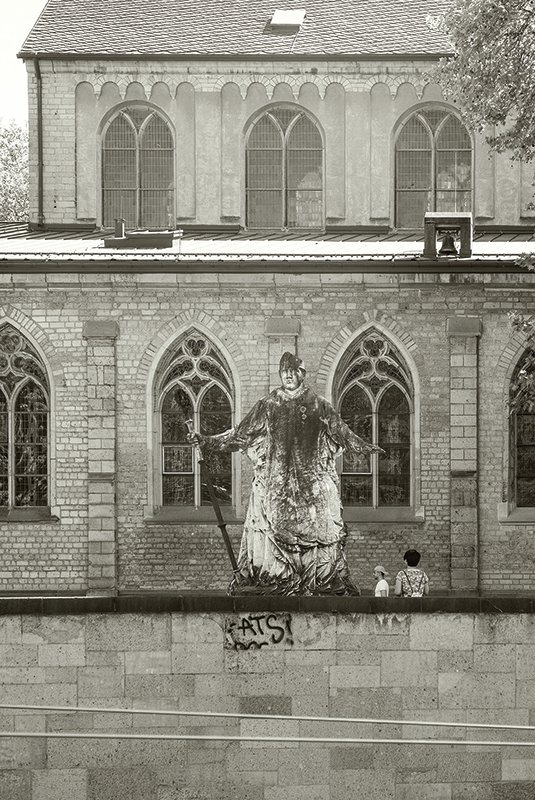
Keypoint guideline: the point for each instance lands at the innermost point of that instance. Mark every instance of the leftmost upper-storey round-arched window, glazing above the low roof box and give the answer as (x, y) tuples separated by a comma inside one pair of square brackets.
[(137, 170)]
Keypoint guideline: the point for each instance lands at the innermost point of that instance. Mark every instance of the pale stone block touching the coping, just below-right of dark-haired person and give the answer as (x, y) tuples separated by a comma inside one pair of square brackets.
[(441, 631)]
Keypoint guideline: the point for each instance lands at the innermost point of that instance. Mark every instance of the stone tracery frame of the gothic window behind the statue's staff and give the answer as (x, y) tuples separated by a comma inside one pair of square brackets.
[(174, 372)]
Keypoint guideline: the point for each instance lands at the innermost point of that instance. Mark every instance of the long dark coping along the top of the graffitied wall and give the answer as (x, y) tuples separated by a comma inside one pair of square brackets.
[(165, 602)]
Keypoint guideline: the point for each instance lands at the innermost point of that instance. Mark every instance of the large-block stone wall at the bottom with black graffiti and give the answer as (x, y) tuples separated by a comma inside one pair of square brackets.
[(459, 668)]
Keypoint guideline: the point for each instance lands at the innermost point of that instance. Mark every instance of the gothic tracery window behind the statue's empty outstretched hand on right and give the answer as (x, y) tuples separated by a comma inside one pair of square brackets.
[(374, 391)]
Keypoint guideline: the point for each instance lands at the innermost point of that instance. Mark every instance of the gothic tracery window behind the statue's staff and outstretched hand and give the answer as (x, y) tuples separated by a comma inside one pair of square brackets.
[(194, 384)]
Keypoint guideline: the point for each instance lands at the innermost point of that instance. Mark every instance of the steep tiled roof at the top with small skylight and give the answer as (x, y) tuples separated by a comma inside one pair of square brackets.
[(235, 28)]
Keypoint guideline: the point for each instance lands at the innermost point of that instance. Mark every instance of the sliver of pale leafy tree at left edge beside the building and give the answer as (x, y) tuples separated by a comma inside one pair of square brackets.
[(13, 173)]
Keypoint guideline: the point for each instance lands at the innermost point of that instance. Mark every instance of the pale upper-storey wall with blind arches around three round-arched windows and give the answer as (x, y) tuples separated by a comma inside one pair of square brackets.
[(209, 106)]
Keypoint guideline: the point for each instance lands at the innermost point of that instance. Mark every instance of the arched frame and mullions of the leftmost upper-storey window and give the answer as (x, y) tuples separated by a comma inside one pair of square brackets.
[(153, 112)]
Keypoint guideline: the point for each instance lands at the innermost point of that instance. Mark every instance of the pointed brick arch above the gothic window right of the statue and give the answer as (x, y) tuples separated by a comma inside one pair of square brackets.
[(355, 328)]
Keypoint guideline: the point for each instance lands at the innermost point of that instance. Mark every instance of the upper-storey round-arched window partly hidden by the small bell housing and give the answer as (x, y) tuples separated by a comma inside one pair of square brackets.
[(433, 166)]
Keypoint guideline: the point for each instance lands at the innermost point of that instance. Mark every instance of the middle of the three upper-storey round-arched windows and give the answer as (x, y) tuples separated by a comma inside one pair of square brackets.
[(284, 171)]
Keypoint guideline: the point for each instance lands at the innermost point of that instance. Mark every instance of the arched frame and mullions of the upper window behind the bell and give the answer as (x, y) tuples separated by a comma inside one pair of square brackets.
[(434, 190)]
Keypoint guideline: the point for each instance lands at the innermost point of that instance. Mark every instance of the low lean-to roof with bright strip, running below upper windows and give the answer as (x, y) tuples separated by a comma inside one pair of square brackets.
[(274, 251)]
